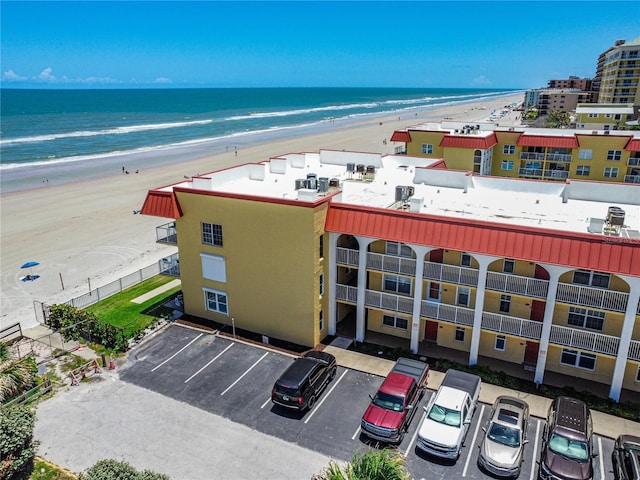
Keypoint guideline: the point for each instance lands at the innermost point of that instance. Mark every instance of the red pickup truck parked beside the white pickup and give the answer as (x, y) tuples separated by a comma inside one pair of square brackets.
[(388, 416)]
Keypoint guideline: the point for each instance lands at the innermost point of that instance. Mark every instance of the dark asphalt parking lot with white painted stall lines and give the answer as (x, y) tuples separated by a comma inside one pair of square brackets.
[(234, 380)]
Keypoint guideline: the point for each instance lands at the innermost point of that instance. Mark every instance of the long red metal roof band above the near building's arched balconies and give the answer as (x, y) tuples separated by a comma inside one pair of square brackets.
[(574, 250)]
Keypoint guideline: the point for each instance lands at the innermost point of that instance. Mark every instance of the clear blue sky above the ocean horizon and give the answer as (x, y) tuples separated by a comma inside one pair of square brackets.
[(505, 44)]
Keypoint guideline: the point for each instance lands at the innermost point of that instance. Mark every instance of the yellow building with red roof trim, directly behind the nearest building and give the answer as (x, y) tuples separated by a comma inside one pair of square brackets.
[(532, 153)]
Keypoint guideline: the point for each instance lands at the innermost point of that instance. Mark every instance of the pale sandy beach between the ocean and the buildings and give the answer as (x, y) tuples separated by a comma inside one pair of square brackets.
[(82, 230)]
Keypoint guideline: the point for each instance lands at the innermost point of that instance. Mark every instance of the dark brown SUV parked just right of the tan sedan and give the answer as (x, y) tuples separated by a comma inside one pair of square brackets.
[(567, 450)]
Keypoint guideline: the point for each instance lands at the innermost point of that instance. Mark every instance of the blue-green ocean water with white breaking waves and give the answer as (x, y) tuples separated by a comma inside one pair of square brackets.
[(55, 127)]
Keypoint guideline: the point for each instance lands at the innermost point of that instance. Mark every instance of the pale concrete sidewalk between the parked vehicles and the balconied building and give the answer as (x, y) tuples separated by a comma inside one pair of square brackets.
[(603, 424)]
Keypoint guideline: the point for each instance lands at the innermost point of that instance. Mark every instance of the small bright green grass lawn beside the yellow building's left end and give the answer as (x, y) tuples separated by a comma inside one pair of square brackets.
[(120, 311)]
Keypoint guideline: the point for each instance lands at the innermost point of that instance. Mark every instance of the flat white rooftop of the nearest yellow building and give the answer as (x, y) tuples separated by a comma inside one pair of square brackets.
[(554, 205)]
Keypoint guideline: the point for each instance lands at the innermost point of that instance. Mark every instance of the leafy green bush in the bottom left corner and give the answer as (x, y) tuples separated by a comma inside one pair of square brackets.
[(16, 442)]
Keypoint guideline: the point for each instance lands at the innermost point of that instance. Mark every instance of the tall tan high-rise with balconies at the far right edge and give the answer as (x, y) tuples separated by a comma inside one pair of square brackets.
[(619, 74)]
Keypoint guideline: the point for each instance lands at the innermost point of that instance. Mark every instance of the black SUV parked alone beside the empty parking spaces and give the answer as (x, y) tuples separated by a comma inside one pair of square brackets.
[(300, 384)]
